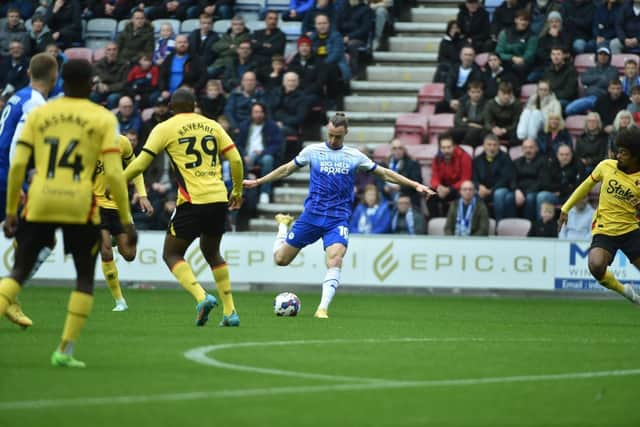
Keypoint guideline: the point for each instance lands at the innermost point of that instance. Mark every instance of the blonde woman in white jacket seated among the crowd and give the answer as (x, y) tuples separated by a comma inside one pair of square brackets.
[(542, 103)]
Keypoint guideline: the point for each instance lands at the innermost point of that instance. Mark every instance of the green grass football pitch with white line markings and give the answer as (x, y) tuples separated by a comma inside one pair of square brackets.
[(378, 361)]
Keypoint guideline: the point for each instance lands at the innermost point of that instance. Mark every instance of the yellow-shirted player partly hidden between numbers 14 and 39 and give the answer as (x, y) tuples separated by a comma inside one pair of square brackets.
[(110, 223)]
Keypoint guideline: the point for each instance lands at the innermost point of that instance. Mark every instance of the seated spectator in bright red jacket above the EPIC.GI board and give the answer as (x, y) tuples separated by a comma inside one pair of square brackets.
[(450, 168)]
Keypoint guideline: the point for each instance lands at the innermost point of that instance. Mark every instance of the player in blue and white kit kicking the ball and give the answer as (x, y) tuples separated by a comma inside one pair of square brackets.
[(327, 209)]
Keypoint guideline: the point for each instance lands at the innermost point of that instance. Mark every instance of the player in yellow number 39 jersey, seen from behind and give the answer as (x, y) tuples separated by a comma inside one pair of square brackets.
[(194, 145)]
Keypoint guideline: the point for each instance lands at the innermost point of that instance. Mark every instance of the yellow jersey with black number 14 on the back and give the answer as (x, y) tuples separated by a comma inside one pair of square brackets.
[(66, 135)]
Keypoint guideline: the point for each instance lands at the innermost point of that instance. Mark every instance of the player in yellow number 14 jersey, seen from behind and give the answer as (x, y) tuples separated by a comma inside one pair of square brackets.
[(64, 138)]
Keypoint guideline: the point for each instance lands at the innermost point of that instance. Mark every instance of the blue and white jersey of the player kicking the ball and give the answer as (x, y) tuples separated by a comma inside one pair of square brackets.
[(332, 179)]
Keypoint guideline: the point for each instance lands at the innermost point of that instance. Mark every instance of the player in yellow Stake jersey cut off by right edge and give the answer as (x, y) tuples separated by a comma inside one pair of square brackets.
[(615, 226)]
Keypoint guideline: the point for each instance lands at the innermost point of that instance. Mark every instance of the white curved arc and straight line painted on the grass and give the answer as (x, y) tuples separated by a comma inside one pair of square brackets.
[(200, 355)]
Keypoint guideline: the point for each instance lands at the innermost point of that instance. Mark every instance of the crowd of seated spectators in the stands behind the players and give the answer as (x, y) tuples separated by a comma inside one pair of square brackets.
[(511, 79)]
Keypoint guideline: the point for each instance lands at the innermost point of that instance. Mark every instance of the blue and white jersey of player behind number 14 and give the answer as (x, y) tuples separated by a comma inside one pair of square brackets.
[(11, 122)]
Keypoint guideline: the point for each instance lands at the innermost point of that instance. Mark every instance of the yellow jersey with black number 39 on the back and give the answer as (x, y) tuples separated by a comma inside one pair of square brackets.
[(194, 144)]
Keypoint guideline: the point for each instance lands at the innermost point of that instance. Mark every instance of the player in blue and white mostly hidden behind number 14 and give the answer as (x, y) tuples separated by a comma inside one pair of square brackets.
[(43, 73)]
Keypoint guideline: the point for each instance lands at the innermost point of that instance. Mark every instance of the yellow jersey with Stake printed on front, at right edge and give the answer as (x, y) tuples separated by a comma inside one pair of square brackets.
[(616, 212)]
